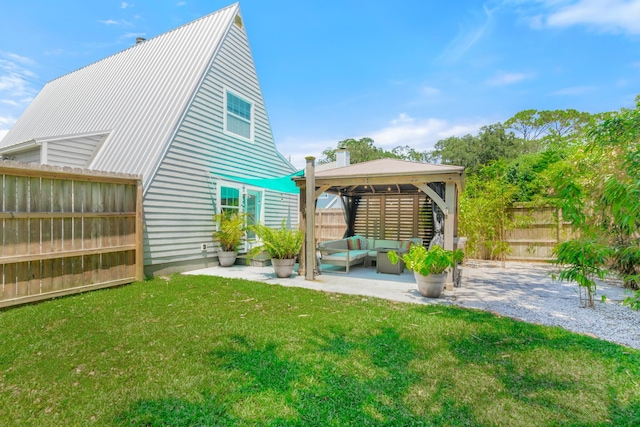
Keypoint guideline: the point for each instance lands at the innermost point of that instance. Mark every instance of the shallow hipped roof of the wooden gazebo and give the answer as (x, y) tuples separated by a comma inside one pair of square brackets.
[(383, 176)]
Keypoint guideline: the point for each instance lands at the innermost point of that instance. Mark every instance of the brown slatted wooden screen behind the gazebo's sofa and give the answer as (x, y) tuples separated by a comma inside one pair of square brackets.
[(395, 217)]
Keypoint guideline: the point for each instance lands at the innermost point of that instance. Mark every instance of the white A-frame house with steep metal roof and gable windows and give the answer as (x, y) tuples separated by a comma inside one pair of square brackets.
[(183, 109)]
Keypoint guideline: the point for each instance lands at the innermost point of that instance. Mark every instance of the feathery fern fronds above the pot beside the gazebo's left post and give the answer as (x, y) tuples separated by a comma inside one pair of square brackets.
[(279, 243)]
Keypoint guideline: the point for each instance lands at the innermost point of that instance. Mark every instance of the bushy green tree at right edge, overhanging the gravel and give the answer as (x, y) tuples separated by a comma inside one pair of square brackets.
[(598, 188)]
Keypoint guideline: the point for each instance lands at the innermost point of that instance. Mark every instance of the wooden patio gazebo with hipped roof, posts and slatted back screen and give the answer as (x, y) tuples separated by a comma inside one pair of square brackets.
[(385, 198)]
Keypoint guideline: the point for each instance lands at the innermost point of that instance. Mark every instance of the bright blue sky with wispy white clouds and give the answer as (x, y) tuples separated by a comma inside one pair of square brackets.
[(403, 72)]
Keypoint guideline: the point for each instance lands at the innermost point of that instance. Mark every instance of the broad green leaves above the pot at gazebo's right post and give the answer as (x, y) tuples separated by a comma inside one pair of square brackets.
[(434, 261)]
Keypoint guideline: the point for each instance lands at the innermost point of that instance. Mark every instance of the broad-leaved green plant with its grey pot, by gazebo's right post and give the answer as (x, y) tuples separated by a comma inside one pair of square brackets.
[(429, 267)]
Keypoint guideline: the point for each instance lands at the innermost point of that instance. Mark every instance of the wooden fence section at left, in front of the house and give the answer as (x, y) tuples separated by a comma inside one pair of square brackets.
[(66, 231)]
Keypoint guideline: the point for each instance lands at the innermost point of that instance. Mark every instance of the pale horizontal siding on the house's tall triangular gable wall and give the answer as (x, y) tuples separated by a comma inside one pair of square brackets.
[(179, 200)]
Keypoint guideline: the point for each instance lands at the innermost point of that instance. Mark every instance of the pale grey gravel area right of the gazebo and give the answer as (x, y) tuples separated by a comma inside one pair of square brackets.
[(527, 292)]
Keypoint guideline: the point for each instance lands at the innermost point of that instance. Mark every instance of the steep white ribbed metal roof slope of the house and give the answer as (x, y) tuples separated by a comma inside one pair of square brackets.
[(139, 95)]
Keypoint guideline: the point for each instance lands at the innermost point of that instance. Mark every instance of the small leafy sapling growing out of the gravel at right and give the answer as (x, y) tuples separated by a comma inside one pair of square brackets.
[(583, 261)]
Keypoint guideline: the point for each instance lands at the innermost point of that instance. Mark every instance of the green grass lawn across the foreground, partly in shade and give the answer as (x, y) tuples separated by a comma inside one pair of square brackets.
[(199, 351)]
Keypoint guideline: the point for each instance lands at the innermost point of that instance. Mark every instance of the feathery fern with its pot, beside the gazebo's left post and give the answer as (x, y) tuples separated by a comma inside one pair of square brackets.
[(282, 244)]
